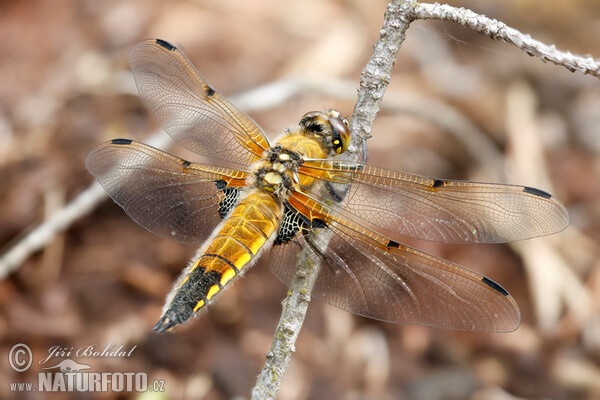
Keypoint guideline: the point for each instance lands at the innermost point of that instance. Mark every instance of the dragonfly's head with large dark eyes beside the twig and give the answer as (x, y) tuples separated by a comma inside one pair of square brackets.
[(330, 127)]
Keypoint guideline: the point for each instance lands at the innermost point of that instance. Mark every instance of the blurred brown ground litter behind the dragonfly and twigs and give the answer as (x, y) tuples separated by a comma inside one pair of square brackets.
[(459, 106)]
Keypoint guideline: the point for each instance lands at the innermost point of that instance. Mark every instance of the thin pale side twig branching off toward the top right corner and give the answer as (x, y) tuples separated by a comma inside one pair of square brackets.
[(499, 30)]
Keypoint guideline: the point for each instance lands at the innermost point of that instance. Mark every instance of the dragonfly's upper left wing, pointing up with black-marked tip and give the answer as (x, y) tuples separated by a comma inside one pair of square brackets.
[(189, 110)]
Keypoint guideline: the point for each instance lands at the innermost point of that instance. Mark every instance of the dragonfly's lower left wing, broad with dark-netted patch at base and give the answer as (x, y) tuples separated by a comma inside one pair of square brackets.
[(167, 195)]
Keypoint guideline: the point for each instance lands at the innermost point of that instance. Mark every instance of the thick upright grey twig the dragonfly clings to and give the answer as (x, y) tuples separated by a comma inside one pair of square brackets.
[(374, 80)]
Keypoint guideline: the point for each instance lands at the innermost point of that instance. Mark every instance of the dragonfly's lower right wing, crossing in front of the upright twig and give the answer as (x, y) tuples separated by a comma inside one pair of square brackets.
[(369, 275)]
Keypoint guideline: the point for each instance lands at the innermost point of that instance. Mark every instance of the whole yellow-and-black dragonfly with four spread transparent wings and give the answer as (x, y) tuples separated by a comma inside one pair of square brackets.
[(248, 196)]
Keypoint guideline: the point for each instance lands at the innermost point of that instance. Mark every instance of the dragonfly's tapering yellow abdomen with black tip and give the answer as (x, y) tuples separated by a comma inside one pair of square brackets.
[(232, 248)]
